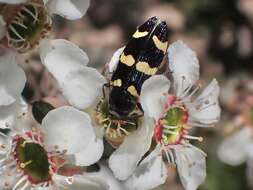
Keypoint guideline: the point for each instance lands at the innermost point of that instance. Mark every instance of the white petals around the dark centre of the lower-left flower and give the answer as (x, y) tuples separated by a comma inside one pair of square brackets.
[(64, 131)]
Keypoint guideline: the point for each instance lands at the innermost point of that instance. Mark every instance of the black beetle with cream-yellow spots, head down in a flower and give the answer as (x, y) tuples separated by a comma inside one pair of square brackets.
[(139, 60)]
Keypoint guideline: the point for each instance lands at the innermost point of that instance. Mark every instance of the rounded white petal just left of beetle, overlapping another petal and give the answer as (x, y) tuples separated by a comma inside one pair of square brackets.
[(83, 88)]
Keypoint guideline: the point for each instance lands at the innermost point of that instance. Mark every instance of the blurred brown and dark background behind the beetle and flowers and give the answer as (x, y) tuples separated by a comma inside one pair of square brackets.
[(219, 31)]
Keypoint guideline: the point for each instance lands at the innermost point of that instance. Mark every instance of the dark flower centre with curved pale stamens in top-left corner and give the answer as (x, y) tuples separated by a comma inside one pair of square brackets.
[(27, 24)]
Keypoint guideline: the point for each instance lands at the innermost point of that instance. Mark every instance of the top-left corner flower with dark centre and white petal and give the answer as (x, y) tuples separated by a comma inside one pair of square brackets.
[(23, 28)]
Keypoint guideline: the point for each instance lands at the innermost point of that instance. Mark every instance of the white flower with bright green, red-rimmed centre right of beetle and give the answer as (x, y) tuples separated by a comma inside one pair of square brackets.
[(174, 114)]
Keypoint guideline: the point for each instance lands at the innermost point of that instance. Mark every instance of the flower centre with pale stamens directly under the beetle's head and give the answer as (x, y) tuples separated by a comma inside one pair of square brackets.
[(116, 129)]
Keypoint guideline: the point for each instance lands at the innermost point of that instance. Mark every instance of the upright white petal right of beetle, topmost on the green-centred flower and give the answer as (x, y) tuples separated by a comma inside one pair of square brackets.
[(184, 65)]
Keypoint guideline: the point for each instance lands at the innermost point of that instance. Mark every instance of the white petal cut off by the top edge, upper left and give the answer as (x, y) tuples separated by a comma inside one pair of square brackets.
[(69, 9)]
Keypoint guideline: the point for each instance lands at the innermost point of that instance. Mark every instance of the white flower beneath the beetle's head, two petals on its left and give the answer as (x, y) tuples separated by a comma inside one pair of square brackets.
[(81, 85)]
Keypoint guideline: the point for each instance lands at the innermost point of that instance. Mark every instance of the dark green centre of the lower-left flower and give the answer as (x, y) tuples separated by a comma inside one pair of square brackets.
[(33, 160)]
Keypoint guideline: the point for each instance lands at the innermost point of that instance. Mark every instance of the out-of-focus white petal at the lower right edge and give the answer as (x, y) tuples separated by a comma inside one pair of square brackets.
[(233, 150)]
